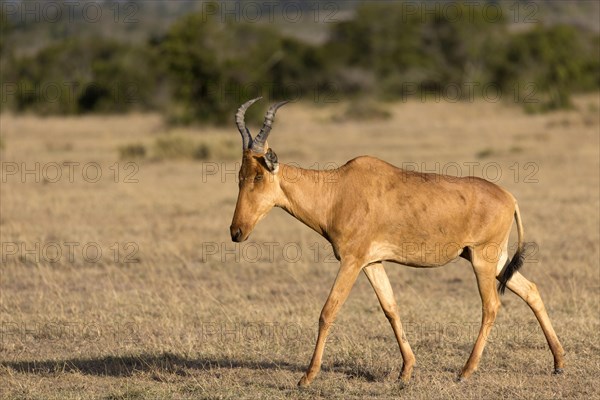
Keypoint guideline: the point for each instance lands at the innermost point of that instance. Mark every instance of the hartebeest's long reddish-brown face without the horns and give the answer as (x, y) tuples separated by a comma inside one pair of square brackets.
[(258, 191)]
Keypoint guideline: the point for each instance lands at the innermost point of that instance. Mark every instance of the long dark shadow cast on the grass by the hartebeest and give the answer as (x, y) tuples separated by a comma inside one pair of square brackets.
[(125, 366)]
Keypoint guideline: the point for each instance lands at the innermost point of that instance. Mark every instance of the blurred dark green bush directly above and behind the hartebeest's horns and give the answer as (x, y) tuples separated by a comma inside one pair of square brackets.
[(214, 66)]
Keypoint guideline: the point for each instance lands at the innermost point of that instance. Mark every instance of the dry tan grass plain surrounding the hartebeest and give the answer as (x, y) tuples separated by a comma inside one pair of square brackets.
[(200, 317)]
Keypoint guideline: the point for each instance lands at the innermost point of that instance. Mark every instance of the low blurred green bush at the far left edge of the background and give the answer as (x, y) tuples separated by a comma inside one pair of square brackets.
[(79, 76)]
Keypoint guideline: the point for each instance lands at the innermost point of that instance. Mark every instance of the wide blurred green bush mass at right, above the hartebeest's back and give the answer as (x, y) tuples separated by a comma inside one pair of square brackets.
[(431, 53)]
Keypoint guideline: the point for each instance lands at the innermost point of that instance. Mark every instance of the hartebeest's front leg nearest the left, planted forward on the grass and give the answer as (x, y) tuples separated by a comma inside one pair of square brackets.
[(344, 281)]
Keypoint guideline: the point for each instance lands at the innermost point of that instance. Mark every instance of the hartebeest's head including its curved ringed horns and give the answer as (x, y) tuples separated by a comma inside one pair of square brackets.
[(258, 181)]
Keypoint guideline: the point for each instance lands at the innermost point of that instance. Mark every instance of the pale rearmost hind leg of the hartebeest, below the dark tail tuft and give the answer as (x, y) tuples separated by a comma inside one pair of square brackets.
[(529, 293)]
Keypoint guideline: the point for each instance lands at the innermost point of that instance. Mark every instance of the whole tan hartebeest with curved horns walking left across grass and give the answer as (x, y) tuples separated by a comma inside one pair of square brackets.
[(371, 211)]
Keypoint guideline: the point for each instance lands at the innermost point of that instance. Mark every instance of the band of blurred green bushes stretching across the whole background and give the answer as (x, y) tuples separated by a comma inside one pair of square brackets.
[(193, 62)]
